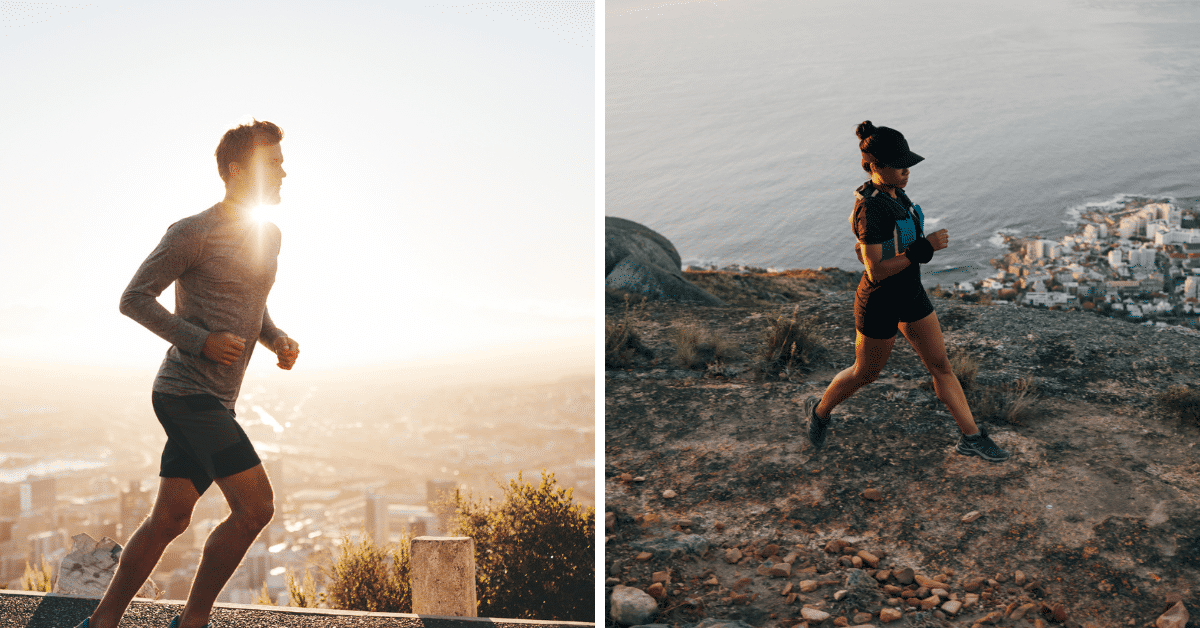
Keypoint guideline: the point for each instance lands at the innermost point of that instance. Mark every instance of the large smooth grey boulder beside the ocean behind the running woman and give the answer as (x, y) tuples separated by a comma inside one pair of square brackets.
[(640, 261)]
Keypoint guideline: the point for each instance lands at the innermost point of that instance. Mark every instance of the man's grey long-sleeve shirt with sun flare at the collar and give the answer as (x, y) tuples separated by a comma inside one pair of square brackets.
[(223, 271)]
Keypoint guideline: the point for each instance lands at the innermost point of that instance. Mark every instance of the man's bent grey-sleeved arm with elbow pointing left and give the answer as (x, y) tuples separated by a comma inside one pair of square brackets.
[(173, 256)]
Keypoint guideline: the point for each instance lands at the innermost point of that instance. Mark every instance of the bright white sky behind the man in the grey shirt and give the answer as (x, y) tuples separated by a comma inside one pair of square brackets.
[(441, 170)]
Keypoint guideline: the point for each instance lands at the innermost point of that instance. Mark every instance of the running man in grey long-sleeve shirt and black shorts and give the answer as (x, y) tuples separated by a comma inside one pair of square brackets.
[(223, 264)]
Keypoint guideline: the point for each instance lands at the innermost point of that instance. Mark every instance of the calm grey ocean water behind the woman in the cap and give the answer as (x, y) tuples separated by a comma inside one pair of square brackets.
[(730, 124)]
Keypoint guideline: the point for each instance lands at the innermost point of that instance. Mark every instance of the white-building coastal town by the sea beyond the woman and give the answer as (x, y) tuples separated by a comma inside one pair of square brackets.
[(1139, 262)]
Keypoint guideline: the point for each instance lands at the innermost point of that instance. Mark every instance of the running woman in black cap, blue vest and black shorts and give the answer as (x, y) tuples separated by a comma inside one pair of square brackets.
[(892, 244)]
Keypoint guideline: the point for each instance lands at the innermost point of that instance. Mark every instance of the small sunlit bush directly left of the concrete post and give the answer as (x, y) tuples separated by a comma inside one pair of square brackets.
[(371, 578)]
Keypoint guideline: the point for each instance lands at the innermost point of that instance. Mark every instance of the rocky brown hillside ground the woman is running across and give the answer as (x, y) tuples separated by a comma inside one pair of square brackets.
[(719, 511)]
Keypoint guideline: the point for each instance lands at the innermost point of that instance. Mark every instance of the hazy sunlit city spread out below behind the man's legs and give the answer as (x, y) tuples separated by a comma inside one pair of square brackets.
[(344, 456)]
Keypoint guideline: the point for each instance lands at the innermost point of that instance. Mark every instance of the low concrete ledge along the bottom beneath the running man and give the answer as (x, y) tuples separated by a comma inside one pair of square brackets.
[(25, 609)]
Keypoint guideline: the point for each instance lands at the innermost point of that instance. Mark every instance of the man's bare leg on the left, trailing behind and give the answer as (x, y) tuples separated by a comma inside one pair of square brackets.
[(169, 519)]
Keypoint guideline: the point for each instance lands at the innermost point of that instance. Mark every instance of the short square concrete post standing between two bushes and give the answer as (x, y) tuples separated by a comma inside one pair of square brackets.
[(443, 577)]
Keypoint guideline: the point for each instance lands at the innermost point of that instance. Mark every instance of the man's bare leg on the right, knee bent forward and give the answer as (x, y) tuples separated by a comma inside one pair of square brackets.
[(251, 505)]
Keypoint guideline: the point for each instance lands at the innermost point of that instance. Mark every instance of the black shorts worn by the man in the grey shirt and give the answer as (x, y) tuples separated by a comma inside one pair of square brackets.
[(203, 440)]
